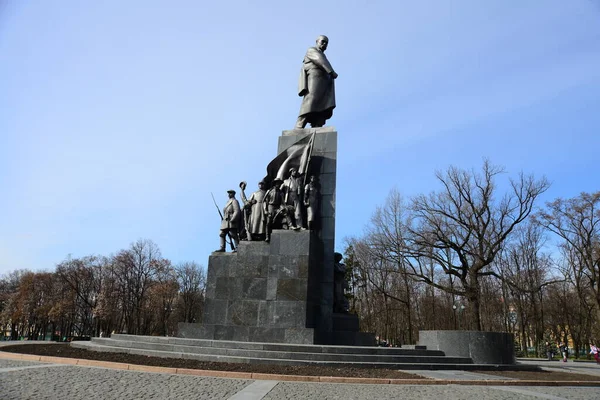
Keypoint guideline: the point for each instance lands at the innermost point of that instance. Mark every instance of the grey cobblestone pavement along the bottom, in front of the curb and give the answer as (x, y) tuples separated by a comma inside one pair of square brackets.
[(36, 380)]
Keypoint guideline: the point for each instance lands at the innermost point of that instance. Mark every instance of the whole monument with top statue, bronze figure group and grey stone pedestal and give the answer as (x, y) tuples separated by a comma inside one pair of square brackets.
[(278, 285)]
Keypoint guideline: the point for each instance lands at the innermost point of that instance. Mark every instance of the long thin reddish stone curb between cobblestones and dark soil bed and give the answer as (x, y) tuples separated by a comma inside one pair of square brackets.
[(286, 378)]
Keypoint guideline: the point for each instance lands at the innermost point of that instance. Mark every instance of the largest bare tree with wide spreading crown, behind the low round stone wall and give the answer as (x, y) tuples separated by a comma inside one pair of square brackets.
[(461, 228)]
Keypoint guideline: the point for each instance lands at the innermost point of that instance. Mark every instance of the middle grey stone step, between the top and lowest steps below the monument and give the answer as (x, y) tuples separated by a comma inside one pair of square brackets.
[(409, 356)]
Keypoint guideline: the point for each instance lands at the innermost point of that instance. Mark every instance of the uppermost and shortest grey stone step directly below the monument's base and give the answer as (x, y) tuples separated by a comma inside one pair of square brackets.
[(308, 348)]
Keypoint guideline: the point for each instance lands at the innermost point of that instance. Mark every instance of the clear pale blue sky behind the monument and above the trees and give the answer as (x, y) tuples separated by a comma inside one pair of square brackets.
[(119, 118)]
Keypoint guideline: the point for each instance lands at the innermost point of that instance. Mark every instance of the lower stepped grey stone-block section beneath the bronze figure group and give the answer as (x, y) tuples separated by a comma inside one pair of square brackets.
[(262, 293)]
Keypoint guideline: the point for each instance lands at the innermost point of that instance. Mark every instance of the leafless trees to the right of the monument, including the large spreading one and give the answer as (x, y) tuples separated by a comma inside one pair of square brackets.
[(475, 256)]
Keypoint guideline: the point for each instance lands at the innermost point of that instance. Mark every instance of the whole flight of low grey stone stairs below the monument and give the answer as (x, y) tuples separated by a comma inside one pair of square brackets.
[(404, 358)]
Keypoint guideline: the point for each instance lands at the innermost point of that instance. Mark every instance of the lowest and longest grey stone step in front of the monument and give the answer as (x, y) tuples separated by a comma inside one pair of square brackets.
[(249, 360)]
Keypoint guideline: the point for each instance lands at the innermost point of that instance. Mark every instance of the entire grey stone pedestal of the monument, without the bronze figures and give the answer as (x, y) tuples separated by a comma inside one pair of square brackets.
[(282, 291)]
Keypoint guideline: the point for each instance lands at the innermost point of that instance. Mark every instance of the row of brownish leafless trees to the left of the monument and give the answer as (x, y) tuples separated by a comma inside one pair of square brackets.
[(135, 291)]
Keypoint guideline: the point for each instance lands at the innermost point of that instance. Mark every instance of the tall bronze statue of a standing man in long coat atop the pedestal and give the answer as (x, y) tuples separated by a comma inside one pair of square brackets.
[(316, 84)]
